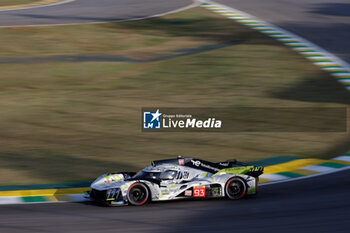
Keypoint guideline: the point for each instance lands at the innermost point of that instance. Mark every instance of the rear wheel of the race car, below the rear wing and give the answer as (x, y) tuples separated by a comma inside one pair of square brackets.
[(235, 188)]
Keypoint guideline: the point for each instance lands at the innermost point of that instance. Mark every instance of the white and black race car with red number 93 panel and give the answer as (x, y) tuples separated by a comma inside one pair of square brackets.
[(176, 179)]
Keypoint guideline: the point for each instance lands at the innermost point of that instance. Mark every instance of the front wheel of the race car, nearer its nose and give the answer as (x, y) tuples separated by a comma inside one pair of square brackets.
[(138, 194)]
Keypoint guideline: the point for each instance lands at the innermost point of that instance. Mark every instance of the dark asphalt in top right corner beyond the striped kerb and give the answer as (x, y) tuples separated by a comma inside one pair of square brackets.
[(323, 22)]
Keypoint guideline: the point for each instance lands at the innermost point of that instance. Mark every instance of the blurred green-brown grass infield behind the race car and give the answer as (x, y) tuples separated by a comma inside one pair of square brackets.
[(65, 122)]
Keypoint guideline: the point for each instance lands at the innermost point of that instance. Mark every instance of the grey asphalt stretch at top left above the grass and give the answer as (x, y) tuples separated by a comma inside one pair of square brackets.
[(89, 11)]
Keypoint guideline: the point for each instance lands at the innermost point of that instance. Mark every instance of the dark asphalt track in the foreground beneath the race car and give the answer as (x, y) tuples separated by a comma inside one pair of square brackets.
[(319, 204)]
